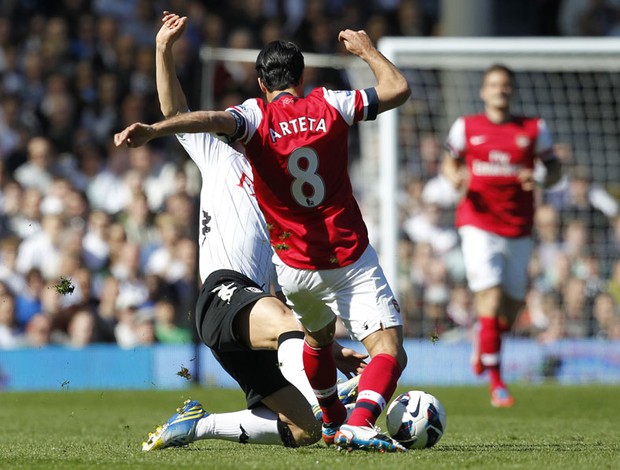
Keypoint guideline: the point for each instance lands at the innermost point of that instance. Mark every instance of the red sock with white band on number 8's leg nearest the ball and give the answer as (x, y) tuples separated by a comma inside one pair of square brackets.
[(376, 387)]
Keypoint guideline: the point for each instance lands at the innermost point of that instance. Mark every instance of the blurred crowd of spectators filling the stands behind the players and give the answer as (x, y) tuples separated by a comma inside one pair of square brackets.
[(120, 224)]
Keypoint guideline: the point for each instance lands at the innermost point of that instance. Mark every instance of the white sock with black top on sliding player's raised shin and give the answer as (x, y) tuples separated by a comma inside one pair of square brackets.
[(290, 357)]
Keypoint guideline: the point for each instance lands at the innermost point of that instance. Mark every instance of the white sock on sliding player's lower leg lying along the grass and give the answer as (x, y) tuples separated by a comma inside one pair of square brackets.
[(257, 426)]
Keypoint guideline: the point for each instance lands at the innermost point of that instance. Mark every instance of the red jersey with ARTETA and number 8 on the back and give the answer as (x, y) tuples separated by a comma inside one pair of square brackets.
[(298, 148)]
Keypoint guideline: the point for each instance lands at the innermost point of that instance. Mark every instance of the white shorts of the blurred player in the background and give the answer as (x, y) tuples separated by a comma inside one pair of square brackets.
[(491, 260)]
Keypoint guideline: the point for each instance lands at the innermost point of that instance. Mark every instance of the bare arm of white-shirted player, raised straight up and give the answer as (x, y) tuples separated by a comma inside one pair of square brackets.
[(172, 100)]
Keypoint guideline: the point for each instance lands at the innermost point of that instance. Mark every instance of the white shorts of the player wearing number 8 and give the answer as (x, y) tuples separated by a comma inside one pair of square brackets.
[(359, 294)]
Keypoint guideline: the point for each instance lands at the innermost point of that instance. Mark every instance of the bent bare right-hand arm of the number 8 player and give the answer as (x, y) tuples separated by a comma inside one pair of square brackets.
[(392, 87)]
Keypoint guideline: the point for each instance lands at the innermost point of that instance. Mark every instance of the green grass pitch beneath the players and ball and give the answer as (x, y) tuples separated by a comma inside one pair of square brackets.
[(551, 427)]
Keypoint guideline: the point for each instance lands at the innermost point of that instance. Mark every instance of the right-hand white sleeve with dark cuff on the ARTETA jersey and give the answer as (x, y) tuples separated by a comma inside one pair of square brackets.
[(354, 105)]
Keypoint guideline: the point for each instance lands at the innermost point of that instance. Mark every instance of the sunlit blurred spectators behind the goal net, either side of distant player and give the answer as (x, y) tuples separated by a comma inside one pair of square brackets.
[(574, 270)]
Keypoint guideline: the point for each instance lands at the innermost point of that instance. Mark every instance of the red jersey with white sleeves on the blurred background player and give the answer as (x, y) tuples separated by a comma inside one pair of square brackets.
[(495, 154)]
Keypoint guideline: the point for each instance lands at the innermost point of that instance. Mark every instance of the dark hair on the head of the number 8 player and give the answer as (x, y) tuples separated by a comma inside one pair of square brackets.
[(280, 65)]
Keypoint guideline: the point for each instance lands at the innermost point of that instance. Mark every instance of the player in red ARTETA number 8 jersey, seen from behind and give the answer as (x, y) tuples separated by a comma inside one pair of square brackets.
[(298, 150)]
